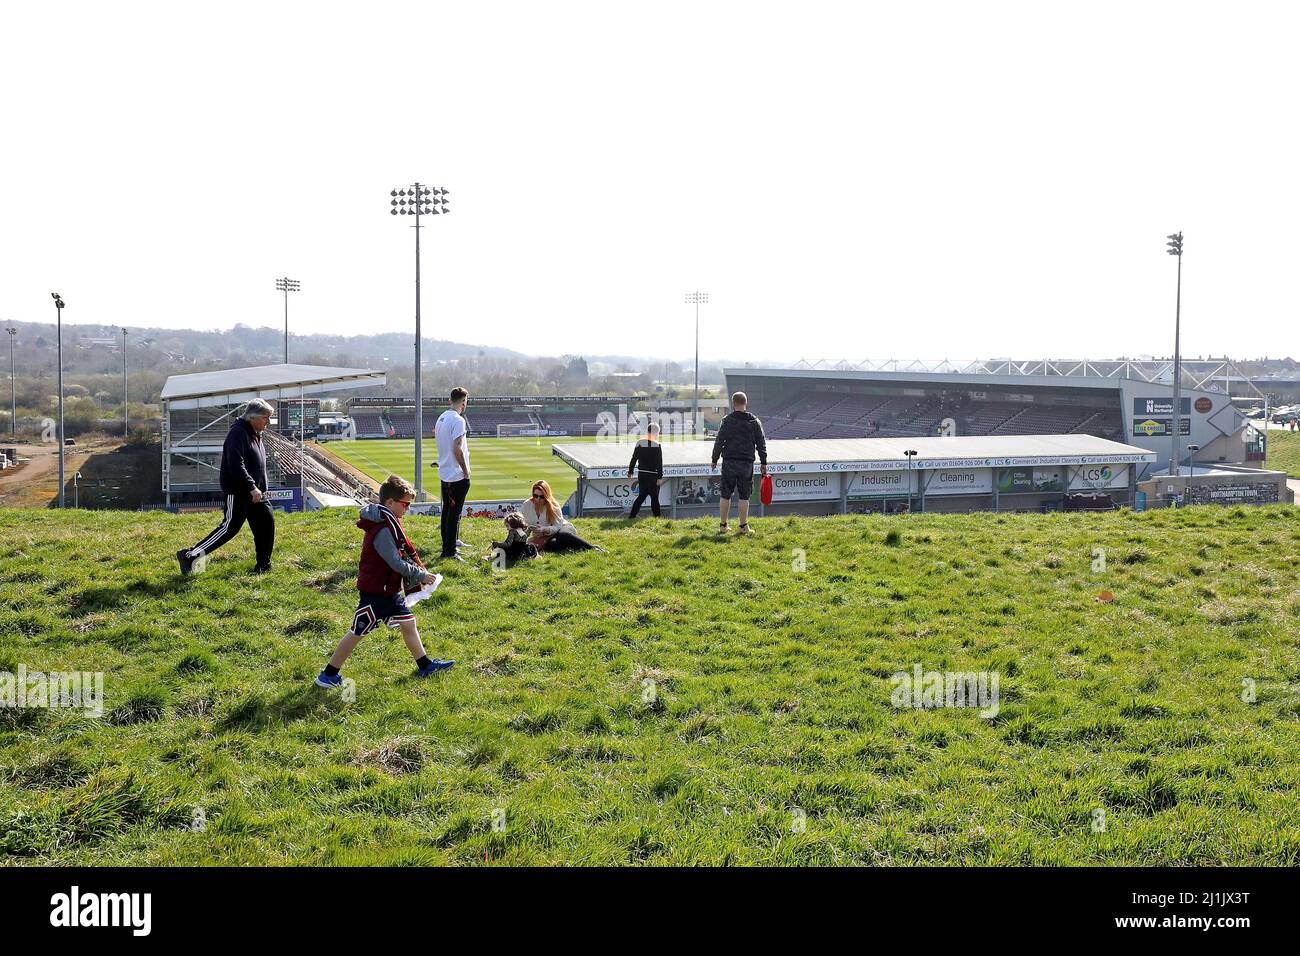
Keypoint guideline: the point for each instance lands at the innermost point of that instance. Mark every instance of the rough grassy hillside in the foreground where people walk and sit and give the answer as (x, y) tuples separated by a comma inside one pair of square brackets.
[(772, 695)]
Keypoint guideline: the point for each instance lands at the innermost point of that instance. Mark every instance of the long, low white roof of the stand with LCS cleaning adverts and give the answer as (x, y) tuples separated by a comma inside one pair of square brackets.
[(610, 460)]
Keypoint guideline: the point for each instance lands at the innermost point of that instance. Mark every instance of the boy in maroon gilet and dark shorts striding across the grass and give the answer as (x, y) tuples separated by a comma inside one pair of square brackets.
[(389, 566)]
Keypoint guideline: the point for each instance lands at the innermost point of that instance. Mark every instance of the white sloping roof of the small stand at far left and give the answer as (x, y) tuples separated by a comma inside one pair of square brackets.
[(237, 386)]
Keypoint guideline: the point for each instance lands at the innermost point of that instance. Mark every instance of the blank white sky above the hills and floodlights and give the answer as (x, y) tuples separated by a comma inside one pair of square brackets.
[(846, 180)]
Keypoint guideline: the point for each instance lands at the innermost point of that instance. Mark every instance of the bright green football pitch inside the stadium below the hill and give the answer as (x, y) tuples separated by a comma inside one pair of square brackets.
[(499, 468)]
